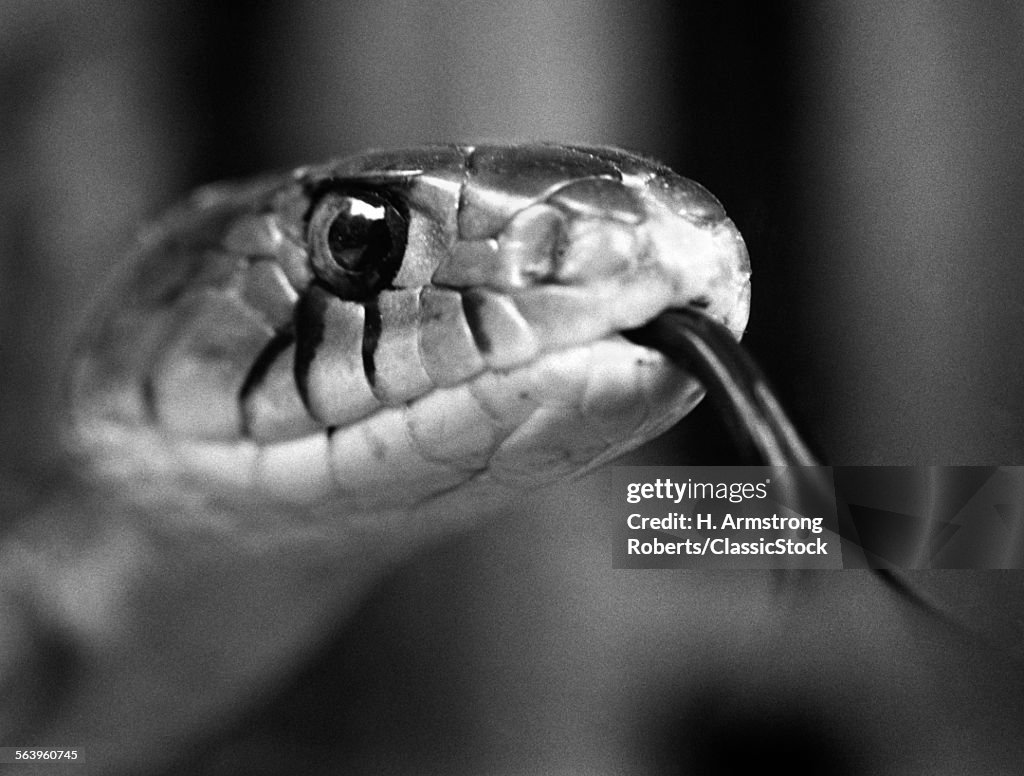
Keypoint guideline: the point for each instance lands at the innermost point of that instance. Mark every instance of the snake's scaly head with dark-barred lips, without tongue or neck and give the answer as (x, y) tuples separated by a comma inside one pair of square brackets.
[(404, 329)]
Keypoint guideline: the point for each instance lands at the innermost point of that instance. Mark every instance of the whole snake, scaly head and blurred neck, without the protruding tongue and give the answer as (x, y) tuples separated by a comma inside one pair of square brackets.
[(294, 382)]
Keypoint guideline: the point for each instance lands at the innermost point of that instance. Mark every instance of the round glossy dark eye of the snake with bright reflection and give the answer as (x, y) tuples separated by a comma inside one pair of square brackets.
[(358, 240)]
